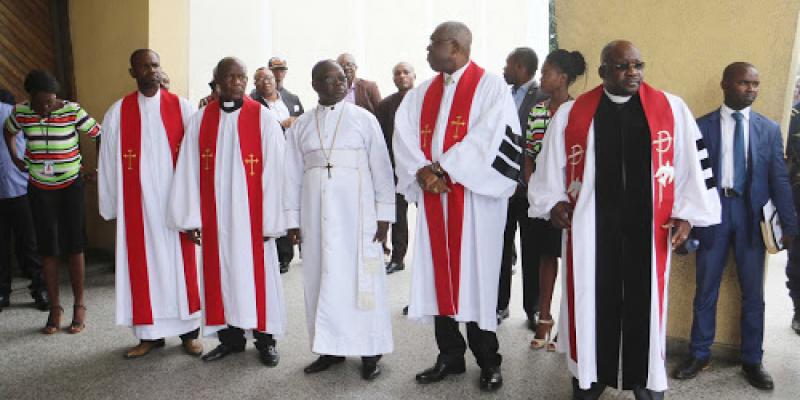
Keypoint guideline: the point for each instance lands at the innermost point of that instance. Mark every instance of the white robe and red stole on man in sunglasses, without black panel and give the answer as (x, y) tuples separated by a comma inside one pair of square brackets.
[(682, 187)]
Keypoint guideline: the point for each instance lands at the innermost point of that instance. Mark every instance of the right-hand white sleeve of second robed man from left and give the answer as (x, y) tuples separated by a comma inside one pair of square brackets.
[(273, 147)]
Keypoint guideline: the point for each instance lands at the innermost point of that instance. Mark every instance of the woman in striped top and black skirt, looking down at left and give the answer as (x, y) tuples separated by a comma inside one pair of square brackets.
[(55, 187)]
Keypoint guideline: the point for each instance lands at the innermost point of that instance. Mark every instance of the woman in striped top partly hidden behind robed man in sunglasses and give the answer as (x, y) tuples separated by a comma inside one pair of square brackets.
[(559, 71)]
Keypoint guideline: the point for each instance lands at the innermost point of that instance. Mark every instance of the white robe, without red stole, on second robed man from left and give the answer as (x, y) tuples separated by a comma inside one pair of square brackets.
[(233, 217)]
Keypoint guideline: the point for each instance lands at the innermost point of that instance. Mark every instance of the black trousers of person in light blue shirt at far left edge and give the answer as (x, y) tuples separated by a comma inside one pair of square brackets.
[(16, 221)]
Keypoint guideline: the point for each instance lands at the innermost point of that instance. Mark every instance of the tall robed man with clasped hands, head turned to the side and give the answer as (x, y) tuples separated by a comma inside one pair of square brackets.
[(457, 153)]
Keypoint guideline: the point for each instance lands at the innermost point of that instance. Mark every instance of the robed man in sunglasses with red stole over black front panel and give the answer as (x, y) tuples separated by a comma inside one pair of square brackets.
[(624, 170)]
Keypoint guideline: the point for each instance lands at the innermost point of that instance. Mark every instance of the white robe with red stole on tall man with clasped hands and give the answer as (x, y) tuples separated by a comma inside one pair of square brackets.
[(468, 123)]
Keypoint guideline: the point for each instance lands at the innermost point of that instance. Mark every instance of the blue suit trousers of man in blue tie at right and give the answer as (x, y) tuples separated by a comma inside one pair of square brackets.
[(733, 231)]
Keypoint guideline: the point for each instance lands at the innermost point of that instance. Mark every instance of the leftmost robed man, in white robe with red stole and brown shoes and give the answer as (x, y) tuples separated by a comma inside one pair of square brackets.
[(156, 271)]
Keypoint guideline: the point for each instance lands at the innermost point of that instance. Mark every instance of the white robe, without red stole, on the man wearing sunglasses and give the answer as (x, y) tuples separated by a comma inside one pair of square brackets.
[(695, 200)]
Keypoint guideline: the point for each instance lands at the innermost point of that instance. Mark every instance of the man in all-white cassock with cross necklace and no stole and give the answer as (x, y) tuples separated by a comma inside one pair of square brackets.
[(339, 200)]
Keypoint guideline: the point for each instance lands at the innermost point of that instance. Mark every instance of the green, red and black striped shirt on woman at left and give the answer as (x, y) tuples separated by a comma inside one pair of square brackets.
[(52, 151)]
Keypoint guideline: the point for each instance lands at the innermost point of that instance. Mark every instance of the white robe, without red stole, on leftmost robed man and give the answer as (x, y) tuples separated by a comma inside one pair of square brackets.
[(168, 294)]
